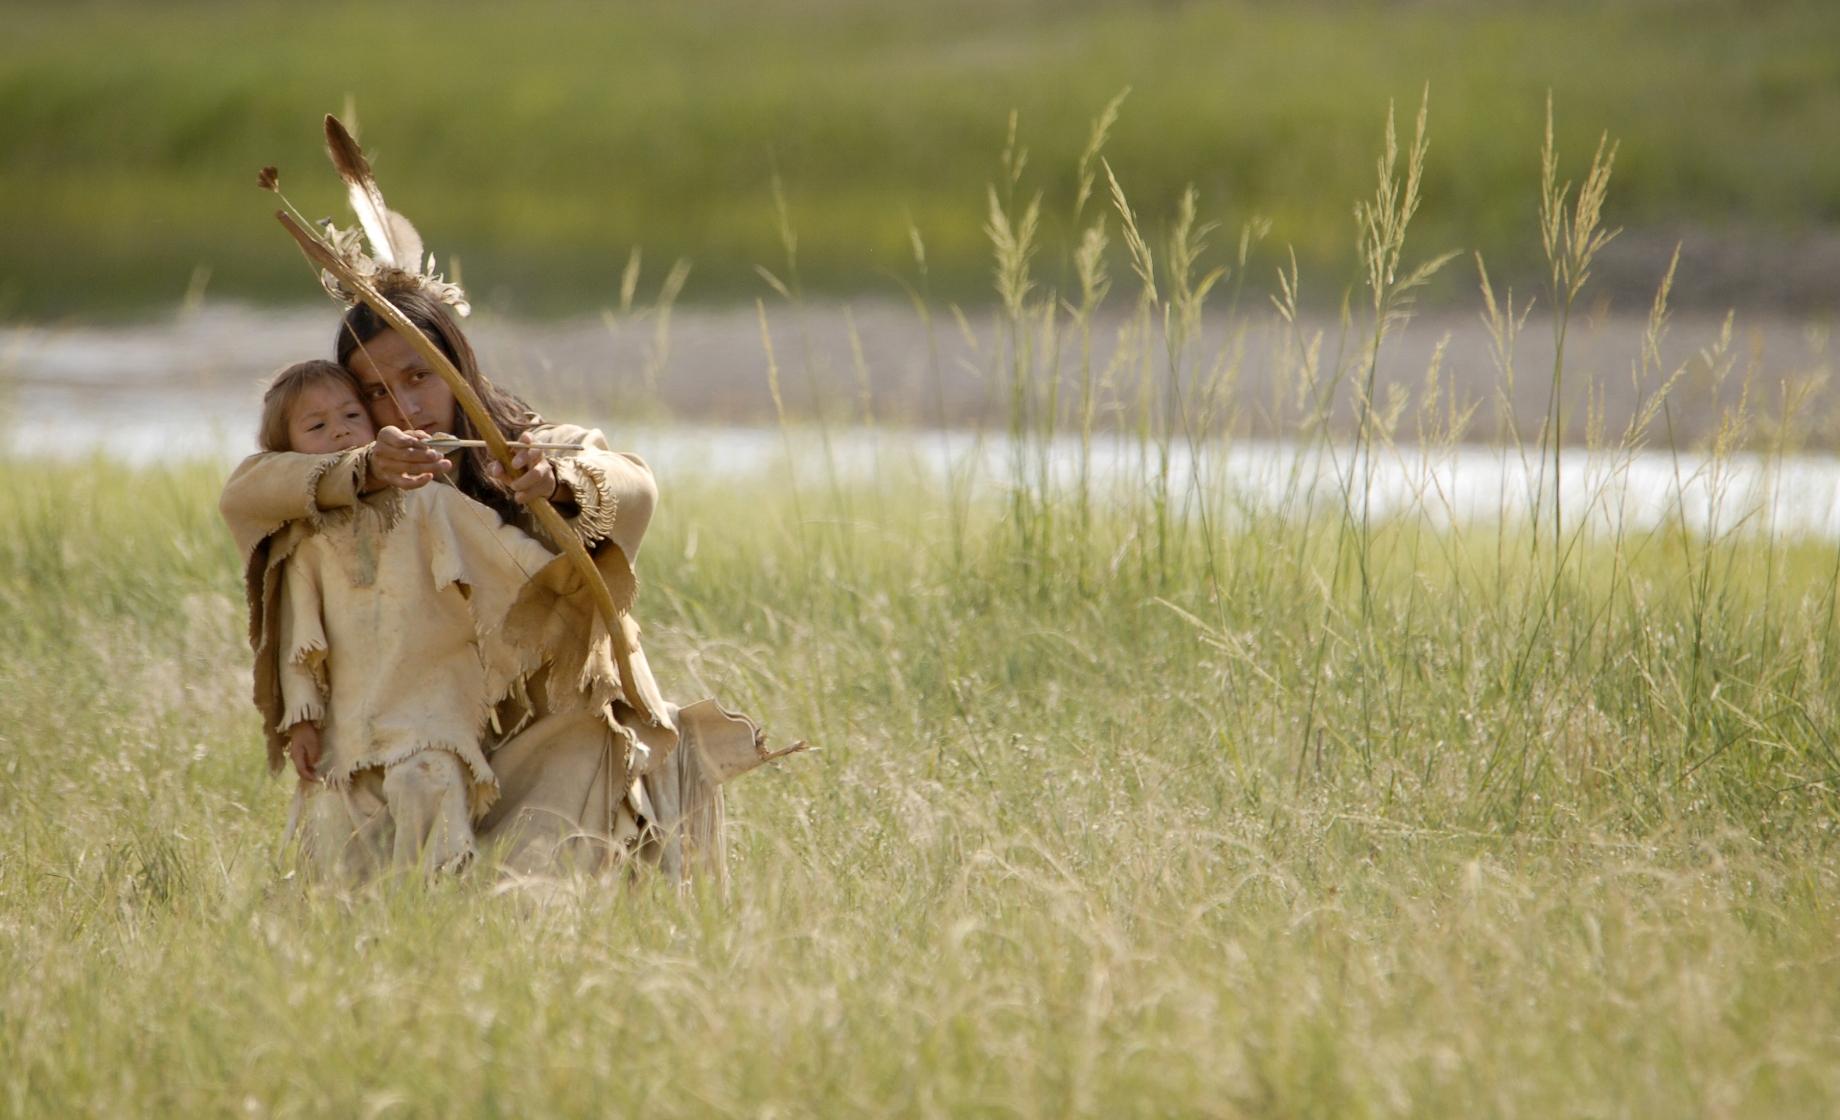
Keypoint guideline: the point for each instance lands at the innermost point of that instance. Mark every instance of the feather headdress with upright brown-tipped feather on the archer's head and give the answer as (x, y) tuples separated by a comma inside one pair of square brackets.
[(395, 260)]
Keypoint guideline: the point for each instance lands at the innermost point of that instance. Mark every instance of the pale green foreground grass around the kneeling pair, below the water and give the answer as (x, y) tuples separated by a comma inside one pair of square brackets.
[(1064, 851)]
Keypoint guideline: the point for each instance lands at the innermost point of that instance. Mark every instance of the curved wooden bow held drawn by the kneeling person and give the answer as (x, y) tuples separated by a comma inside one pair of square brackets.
[(501, 450)]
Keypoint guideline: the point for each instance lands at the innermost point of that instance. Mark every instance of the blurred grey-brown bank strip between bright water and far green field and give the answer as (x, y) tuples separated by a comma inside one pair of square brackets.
[(709, 367)]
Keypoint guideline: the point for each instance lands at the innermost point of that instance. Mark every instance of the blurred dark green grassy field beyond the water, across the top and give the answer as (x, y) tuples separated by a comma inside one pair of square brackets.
[(546, 143)]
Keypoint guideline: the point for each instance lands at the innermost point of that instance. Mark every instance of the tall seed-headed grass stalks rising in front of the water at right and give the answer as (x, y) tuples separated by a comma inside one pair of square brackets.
[(1547, 628)]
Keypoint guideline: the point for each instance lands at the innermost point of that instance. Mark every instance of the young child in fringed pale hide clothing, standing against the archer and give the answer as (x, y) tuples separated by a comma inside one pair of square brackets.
[(385, 648)]
